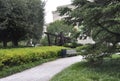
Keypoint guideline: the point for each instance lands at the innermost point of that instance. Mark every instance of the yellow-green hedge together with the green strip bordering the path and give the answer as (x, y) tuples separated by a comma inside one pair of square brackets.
[(18, 59)]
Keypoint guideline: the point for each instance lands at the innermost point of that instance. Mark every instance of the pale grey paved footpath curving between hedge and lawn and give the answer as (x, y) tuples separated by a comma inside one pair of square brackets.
[(45, 71)]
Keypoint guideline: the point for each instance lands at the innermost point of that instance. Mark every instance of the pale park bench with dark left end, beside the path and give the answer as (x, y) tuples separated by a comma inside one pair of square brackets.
[(68, 52)]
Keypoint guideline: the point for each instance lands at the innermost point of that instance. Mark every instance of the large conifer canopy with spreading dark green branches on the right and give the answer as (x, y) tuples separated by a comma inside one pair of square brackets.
[(101, 21)]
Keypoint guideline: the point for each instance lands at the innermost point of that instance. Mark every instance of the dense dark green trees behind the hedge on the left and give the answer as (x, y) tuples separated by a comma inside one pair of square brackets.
[(20, 20)]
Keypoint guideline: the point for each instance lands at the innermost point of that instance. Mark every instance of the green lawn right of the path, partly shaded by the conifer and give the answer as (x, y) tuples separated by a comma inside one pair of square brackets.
[(109, 70)]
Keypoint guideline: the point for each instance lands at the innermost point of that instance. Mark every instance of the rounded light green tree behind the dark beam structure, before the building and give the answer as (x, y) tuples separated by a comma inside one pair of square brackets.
[(57, 27)]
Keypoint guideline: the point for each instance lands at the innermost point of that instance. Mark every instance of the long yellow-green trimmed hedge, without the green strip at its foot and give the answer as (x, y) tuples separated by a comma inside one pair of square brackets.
[(19, 56)]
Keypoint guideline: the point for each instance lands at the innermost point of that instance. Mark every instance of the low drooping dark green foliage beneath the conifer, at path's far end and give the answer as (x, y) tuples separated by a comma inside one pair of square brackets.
[(94, 53)]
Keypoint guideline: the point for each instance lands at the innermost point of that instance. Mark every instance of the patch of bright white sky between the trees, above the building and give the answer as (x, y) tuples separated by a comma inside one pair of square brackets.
[(51, 5)]
